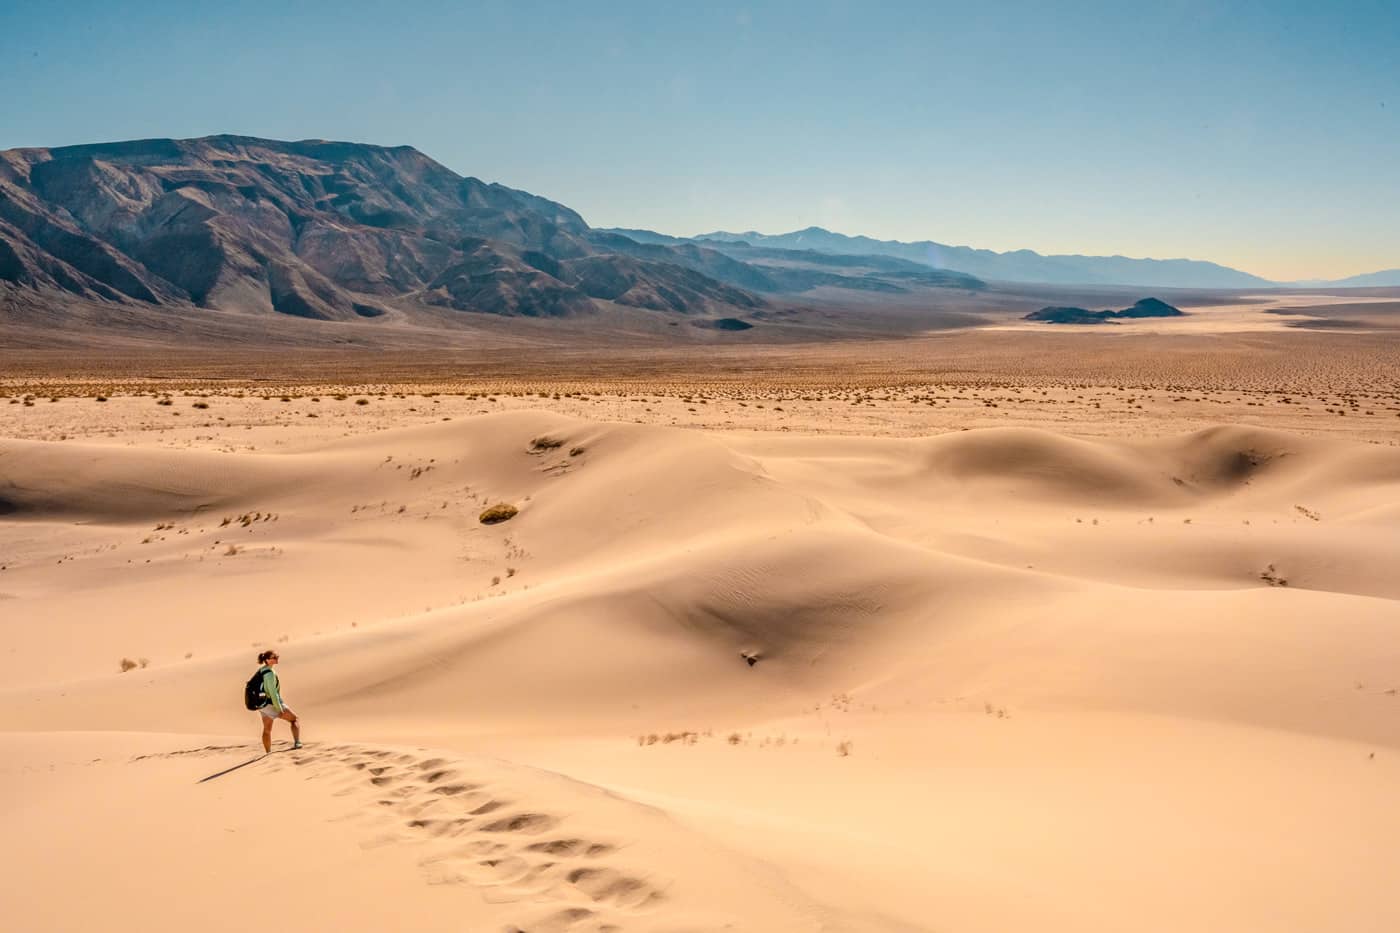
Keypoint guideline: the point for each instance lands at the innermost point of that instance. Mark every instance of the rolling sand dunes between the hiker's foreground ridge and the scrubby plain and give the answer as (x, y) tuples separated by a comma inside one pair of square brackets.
[(659, 564)]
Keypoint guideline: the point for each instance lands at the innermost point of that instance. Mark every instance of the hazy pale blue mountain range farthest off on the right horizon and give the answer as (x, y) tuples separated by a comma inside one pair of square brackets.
[(1021, 265)]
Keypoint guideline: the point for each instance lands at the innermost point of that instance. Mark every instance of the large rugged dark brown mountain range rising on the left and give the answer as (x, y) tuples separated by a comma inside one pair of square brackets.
[(346, 232)]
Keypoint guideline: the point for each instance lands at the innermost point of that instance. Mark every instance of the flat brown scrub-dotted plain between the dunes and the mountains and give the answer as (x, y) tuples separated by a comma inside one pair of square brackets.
[(1297, 382)]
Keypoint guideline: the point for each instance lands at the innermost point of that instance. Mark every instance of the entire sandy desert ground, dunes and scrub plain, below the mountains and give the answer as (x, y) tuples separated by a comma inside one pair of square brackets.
[(972, 633)]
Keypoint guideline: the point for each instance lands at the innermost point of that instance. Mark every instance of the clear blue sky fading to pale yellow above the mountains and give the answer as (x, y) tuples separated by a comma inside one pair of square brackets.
[(1259, 135)]
